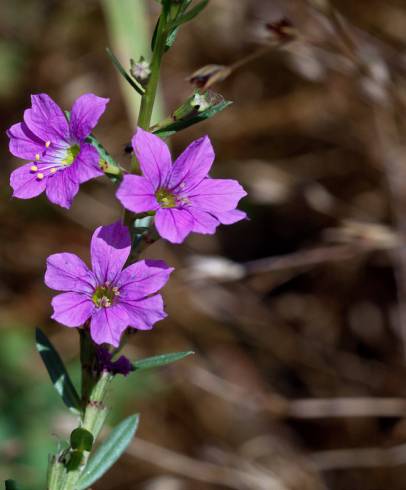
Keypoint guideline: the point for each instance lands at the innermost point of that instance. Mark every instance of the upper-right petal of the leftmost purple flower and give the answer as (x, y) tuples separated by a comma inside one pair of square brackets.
[(86, 112)]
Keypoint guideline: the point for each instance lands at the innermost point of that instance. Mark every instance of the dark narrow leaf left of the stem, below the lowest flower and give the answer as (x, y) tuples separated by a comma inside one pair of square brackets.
[(57, 371)]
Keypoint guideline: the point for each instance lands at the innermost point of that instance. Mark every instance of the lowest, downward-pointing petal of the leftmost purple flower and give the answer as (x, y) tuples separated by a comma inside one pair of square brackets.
[(62, 187)]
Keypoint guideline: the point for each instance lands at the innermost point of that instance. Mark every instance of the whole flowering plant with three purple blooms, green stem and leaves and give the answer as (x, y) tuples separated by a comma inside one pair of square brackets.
[(119, 292)]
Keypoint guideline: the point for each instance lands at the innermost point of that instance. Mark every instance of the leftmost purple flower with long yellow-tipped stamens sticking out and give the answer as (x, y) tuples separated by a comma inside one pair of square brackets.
[(60, 159)]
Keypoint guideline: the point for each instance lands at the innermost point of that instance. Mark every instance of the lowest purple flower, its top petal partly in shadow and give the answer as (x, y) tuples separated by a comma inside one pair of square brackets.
[(112, 298)]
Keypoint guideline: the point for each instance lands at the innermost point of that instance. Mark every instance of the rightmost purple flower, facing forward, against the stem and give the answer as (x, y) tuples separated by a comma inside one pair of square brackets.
[(184, 197)]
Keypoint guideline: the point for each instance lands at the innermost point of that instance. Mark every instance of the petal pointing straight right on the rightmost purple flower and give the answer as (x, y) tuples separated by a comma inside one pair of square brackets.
[(216, 195)]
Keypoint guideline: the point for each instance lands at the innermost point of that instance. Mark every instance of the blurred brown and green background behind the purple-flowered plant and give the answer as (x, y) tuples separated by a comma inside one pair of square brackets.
[(298, 315)]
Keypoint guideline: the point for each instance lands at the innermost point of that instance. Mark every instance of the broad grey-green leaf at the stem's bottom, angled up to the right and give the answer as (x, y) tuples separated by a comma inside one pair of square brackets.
[(109, 452)]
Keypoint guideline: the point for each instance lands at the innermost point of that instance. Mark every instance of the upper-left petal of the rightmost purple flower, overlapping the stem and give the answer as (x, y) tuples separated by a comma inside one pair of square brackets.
[(154, 157)]
